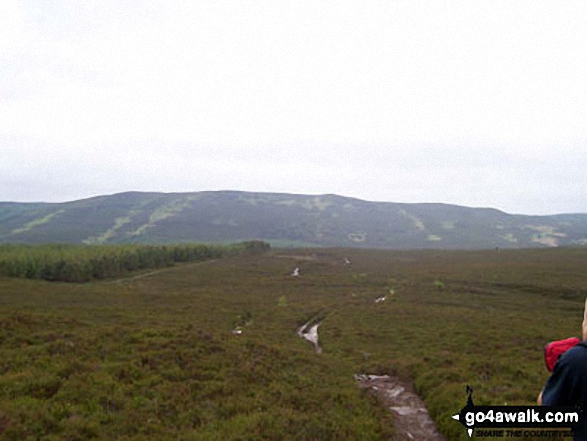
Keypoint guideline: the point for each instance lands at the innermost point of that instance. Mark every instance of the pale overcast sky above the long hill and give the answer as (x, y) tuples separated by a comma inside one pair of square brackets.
[(477, 103)]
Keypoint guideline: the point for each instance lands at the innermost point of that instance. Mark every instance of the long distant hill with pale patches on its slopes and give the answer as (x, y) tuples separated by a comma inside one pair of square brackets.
[(283, 220)]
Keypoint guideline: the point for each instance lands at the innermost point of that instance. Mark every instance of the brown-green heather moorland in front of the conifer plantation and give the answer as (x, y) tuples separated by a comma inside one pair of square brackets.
[(155, 357)]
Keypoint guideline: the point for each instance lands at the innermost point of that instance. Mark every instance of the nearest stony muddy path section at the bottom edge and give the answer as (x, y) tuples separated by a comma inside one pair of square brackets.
[(411, 418)]
